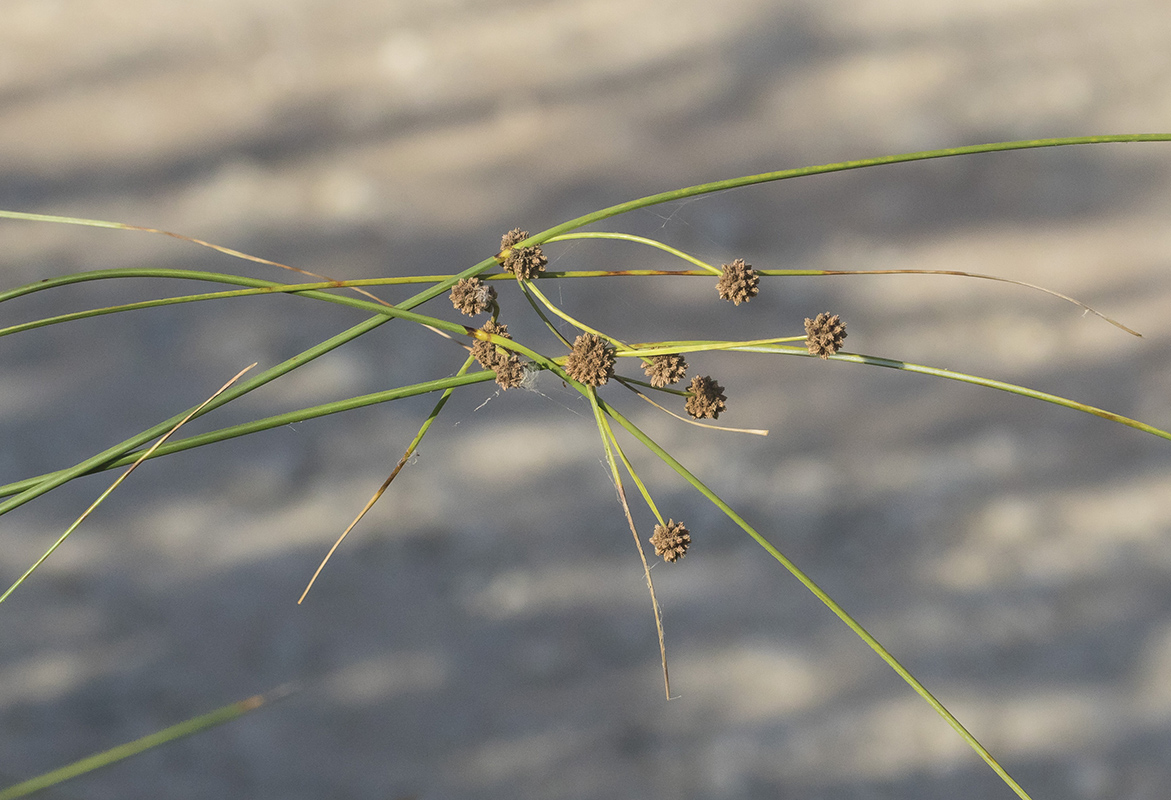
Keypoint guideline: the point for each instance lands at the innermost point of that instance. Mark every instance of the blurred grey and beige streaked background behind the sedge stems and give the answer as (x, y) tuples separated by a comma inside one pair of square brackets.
[(487, 633)]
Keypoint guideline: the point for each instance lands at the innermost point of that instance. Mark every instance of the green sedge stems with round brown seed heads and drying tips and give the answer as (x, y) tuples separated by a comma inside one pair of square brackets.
[(606, 370)]
